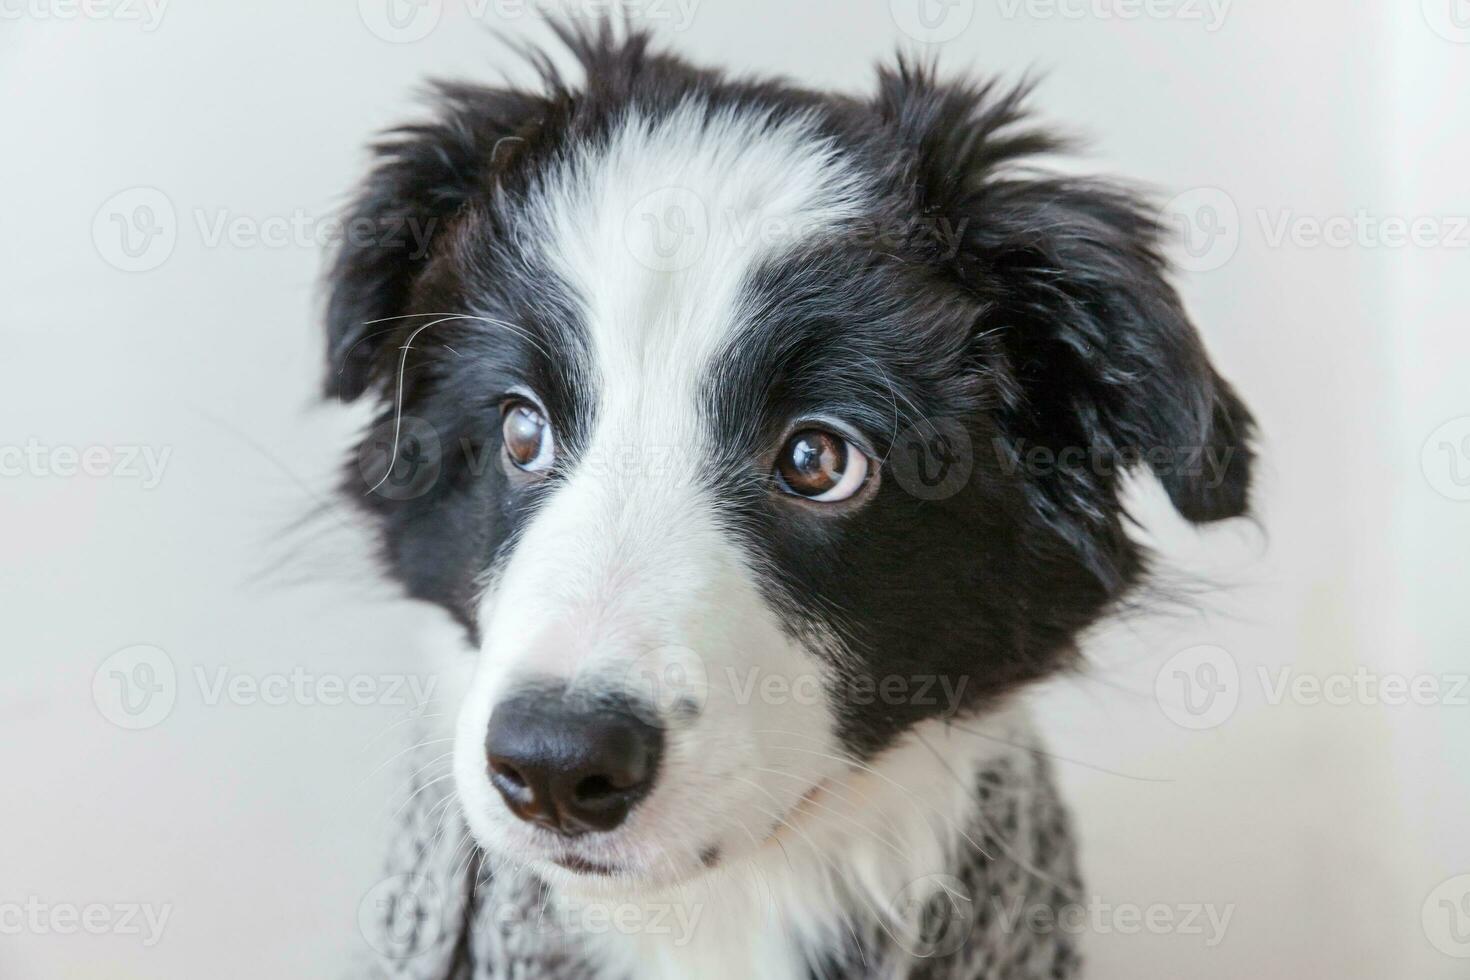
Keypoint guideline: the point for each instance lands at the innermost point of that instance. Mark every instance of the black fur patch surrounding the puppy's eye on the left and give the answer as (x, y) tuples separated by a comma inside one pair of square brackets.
[(448, 508)]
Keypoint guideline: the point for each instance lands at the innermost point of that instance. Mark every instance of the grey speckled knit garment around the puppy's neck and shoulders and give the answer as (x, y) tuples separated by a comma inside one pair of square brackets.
[(445, 915)]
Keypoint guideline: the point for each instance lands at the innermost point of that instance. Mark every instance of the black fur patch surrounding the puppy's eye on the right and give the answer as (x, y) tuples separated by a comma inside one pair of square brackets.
[(944, 600)]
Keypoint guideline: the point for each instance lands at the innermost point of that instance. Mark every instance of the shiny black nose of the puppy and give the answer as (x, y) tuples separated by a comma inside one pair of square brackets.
[(567, 765)]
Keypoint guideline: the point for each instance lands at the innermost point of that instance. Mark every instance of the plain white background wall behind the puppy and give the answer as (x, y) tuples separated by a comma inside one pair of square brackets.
[(1325, 828)]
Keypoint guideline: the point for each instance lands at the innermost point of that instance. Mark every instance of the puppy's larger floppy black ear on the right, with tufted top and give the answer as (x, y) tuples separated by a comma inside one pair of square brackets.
[(1078, 317)]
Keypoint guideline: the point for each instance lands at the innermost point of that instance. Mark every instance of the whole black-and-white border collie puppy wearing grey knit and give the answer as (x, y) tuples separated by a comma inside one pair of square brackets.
[(711, 409)]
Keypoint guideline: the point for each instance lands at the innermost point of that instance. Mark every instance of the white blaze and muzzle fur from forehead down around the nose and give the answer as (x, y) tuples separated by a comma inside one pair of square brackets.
[(627, 569)]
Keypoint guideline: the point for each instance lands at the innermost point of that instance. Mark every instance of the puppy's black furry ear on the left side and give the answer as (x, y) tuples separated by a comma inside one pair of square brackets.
[(424, 179)]
